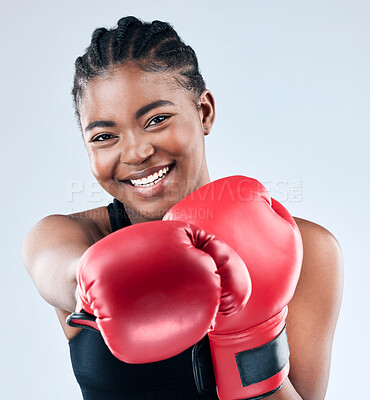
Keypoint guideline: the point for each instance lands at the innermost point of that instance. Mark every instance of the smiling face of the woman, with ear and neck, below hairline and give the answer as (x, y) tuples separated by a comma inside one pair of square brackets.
[(145, 139)]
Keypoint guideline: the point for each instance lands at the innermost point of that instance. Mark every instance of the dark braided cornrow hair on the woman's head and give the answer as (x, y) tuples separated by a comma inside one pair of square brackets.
[(154, 47)]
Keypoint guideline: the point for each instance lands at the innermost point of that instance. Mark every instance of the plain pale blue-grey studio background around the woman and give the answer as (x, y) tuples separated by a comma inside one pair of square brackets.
[(291, 81)]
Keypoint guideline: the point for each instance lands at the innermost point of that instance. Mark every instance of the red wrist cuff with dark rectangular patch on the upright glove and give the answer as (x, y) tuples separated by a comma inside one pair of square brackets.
[(257, 360)]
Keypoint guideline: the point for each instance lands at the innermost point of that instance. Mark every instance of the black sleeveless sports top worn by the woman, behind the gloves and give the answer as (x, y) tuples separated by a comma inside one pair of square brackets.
[(102, 376)]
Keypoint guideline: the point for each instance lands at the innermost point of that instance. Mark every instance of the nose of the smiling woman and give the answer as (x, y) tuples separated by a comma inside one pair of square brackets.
[(136, 149)]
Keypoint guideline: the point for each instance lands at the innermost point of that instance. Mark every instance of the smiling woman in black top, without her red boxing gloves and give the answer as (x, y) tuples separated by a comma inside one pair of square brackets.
[(144, 110)]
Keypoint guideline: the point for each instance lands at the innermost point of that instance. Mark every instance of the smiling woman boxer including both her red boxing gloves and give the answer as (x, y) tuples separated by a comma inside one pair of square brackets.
[(181, 283)]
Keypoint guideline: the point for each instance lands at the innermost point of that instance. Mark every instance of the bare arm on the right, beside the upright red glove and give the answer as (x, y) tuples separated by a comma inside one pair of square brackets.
[(313, 314)]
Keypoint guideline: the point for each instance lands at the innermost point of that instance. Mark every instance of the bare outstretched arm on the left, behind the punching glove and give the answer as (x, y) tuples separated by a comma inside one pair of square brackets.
[(51, 251)]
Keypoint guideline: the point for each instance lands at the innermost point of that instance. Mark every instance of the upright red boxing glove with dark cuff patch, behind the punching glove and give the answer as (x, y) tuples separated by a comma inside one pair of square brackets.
[(250, 352)]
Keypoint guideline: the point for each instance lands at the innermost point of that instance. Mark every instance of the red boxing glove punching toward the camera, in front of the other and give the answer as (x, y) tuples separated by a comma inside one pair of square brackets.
[(155, 288)]
